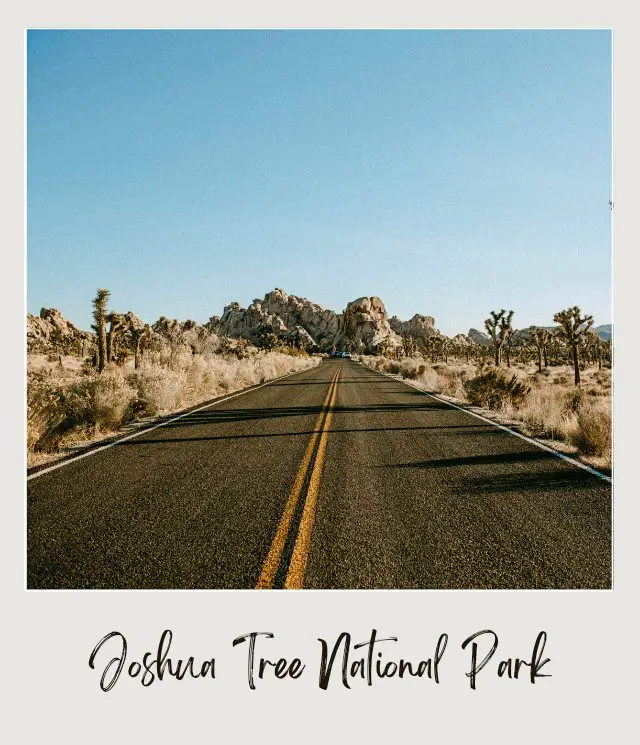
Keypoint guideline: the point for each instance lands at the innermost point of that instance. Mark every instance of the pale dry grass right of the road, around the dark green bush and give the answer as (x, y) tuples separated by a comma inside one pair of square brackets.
[(576, 422)]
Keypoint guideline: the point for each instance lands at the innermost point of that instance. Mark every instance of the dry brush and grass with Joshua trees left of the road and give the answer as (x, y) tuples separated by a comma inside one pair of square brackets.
[(134, 371)]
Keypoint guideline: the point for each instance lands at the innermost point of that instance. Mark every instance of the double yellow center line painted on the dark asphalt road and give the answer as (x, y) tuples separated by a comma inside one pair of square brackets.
[(298, 563)]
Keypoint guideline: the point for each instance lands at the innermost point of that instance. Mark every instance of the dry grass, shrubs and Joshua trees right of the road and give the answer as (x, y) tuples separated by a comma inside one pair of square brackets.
[(551, 384)]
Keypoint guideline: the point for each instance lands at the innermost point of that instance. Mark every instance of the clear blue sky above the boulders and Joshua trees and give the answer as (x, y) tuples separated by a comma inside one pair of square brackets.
[(448, 172)]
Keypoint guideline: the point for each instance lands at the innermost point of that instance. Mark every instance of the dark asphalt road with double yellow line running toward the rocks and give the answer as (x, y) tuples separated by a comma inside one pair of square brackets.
[(337, 477)]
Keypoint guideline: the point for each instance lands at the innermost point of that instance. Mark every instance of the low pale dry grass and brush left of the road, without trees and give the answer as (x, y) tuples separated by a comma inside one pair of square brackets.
[(67, 406)]
